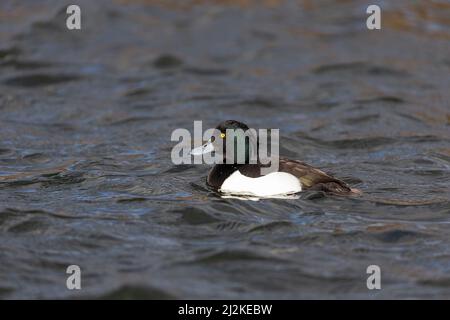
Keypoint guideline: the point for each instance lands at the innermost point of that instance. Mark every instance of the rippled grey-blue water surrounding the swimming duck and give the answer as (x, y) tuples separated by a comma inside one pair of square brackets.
[(85, 171)]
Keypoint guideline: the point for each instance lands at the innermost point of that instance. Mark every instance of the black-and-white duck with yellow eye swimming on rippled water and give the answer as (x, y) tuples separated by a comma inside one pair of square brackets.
[(245, 178)]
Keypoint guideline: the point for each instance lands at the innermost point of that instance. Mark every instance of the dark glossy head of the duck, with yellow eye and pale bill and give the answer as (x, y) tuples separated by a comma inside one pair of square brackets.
[(234, 141)]
